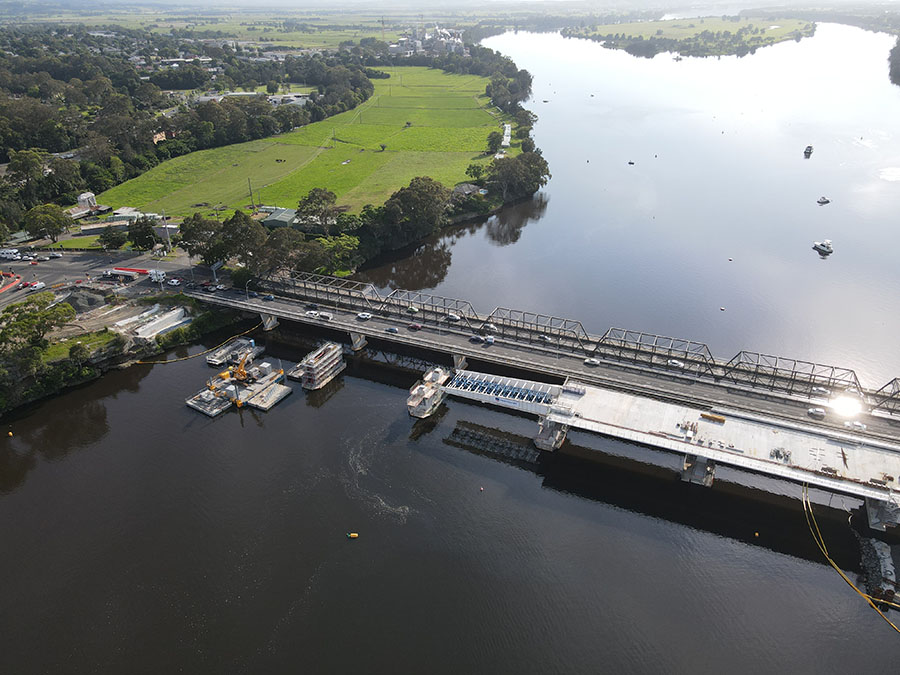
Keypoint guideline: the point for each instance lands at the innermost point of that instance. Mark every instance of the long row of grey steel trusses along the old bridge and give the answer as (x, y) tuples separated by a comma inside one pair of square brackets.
[(674, 355)]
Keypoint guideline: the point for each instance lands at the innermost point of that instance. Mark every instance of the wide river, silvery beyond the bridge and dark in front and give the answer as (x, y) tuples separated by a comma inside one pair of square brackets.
[(140, 536)]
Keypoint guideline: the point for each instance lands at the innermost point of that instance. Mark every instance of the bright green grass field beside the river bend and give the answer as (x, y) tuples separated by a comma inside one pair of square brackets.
[(449, 120)]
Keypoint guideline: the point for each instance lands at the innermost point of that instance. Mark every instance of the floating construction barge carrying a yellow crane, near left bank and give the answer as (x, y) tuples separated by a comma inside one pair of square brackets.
[(259, 387)]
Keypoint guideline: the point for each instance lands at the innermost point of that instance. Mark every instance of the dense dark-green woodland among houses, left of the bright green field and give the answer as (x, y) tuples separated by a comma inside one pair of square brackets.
[(67, 91)]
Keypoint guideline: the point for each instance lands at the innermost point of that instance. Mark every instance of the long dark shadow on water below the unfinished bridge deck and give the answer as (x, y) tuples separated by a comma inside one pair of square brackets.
[(726, 509)]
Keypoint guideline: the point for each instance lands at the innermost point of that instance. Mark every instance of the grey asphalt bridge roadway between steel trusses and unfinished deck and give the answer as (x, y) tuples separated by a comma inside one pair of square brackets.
[(547, 359)]
